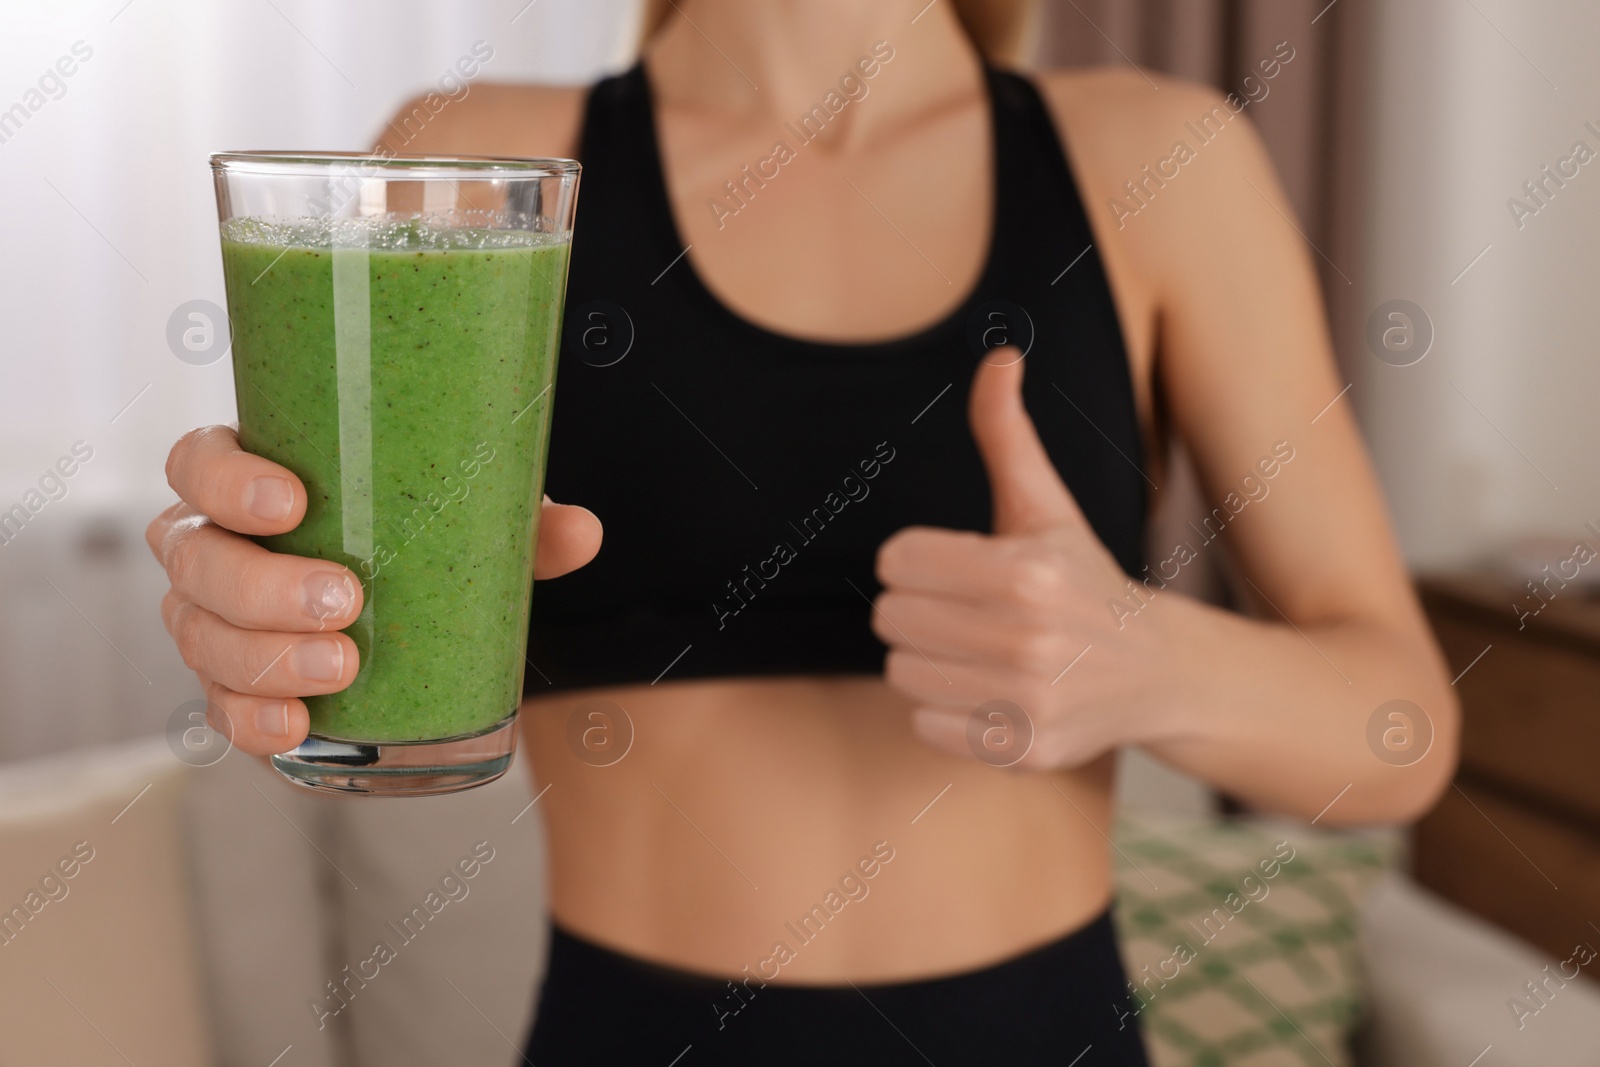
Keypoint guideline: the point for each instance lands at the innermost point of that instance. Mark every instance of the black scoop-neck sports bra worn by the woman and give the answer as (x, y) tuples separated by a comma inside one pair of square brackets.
[(746, 479)]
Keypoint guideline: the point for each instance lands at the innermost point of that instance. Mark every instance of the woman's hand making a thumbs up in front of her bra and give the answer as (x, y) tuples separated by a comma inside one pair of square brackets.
[(1018, 615)]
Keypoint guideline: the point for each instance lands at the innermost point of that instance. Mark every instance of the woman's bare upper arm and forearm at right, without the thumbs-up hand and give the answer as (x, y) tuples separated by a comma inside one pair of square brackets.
[(1276, 711)]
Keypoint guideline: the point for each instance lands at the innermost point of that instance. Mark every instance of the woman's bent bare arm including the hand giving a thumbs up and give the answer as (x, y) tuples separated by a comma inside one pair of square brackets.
[(1273, 709)]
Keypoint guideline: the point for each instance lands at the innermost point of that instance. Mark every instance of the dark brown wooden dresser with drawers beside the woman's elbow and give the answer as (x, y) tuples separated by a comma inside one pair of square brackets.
[(1518, 837)]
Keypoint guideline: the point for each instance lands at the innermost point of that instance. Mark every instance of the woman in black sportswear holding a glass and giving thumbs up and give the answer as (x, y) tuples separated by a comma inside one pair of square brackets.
[(815, 222)]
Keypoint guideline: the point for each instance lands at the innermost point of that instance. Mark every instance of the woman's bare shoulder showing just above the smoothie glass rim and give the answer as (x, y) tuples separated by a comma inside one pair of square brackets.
[(490, 119)]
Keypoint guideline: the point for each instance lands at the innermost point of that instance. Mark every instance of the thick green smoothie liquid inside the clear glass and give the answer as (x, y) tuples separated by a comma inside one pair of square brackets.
[(406, 374)]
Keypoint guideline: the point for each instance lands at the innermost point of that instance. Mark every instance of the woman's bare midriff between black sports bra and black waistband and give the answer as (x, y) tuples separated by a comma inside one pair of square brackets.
[(743, 804)]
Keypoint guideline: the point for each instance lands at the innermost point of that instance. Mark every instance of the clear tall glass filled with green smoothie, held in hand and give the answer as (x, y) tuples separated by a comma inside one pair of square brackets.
[(396, 324)]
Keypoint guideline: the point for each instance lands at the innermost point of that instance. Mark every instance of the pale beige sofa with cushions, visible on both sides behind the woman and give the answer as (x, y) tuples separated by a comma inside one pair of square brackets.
[(220, 905)]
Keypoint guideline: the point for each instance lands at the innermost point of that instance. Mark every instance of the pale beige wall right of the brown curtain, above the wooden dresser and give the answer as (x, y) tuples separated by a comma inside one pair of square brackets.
[(1462, 118)]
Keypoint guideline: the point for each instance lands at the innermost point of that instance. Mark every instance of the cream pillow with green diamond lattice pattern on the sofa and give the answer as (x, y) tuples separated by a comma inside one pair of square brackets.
[(1241, 938)]
